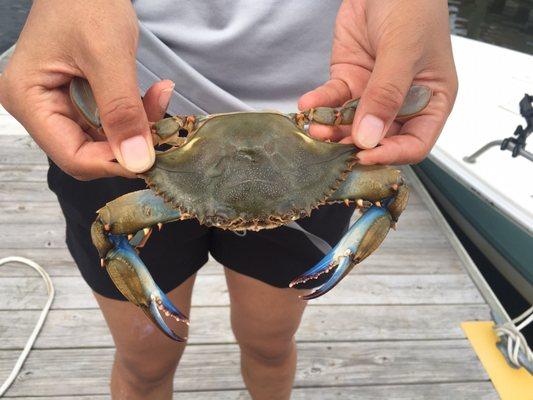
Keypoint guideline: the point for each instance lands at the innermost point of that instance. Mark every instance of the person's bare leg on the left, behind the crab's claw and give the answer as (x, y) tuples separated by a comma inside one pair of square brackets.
[(145, 359)]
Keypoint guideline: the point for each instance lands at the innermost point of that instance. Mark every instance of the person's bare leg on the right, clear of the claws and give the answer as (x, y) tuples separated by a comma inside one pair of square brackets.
[(264, 320)]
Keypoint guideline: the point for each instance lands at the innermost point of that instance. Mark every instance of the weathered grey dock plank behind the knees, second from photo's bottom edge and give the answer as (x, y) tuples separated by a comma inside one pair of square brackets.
[(216, 367)]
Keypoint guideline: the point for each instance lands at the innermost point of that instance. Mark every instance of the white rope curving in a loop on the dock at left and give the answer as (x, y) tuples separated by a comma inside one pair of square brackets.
[(40, 322)]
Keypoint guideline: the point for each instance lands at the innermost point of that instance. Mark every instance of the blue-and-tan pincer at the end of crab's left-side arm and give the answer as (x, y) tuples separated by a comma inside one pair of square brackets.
[(134, 281)]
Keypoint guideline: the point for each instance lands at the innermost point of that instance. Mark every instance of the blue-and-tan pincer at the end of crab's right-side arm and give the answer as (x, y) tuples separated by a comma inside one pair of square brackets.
[(363, 237)]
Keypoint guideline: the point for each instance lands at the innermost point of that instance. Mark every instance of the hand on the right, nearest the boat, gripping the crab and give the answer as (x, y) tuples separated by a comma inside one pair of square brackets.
[(380, 48)]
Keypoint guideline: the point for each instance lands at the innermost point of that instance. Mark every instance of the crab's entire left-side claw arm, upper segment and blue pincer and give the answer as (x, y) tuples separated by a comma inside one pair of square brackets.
[(135, 213)]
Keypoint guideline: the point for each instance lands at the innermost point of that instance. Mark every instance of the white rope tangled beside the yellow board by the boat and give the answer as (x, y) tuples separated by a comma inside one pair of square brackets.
[(515, 339)]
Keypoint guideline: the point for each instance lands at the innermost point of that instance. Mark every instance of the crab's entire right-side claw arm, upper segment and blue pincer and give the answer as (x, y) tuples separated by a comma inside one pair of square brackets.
[(382, 206)]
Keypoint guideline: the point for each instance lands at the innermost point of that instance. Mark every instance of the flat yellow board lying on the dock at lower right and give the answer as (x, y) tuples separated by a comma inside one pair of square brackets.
[(510, 383)]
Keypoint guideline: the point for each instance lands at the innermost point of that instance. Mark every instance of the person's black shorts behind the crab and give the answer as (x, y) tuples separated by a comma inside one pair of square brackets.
[(180, 249)]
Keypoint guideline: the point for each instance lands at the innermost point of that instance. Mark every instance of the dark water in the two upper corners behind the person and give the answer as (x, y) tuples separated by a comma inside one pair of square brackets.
[(507, 23)]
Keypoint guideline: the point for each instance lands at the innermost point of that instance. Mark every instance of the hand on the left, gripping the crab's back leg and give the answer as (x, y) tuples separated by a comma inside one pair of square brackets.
[(96, 40)]
